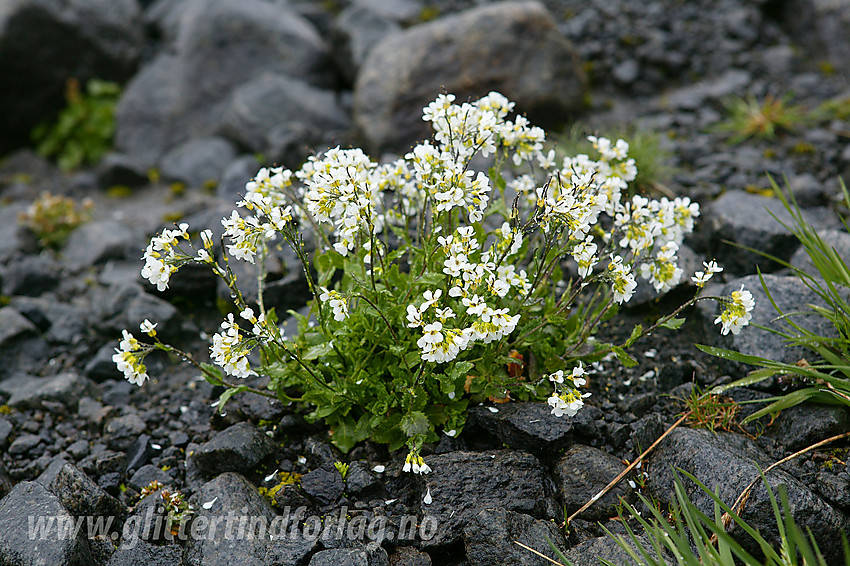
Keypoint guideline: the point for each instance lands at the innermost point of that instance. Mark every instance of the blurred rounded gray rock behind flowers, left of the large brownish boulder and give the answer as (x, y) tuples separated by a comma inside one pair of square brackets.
[(283, 118)]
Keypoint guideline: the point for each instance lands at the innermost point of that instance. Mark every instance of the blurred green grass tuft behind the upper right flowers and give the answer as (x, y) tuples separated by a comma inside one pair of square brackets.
[(651, 158)]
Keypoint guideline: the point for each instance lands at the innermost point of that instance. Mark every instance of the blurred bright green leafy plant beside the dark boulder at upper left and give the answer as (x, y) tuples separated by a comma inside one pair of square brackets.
[(84, 129)]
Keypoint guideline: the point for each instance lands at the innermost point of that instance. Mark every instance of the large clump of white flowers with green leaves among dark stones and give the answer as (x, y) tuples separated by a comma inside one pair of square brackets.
[(436, 285)]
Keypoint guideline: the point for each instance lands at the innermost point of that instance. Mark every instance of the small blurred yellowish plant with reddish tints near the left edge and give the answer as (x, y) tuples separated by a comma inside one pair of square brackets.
[(51, 218)]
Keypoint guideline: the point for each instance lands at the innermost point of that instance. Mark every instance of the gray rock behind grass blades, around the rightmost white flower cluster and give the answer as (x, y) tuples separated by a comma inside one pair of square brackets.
[(791, 295)]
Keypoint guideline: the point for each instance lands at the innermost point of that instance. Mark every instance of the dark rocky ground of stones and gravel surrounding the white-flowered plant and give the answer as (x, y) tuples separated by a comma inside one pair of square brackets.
[(215, 88)]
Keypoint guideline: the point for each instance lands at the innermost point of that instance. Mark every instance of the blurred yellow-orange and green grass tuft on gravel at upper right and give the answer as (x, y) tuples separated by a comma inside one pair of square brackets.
[(761, 119)]
